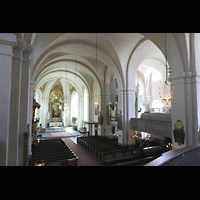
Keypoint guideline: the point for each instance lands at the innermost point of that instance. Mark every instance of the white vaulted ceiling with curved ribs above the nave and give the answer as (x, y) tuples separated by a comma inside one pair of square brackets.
[(90, 56)]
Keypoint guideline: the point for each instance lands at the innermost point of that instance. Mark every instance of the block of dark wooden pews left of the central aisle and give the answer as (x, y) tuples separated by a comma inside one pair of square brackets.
[(52, 152)]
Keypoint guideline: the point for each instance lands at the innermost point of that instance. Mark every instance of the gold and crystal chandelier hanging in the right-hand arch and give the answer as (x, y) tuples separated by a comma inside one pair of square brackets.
[(166, 93)]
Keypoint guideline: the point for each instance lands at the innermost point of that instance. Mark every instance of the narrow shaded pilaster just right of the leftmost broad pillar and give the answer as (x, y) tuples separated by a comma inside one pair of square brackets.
[(15, 103)]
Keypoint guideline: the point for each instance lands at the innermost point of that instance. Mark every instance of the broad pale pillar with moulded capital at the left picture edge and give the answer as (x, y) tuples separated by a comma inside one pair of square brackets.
[(7, 41)]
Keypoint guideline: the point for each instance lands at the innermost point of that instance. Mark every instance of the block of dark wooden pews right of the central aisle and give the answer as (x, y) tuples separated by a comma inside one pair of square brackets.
[(109, 152)]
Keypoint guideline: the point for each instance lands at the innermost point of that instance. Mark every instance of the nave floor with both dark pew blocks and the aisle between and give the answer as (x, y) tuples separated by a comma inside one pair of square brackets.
[(77, 149)]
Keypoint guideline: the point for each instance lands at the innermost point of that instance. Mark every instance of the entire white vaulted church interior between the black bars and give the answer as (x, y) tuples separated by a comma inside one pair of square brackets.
[(99, 99)]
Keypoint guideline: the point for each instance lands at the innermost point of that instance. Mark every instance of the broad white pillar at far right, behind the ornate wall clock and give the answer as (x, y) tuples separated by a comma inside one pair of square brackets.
[(185, 104)]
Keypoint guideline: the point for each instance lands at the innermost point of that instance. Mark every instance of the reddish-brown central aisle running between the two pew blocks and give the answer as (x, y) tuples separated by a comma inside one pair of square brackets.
[(84, 158)]
